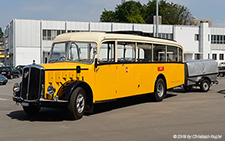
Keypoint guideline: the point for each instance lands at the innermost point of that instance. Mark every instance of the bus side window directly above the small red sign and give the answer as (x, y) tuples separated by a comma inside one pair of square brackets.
[(159, 53)]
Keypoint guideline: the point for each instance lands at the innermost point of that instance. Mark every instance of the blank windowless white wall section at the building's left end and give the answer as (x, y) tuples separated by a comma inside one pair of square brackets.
[(27, 41)]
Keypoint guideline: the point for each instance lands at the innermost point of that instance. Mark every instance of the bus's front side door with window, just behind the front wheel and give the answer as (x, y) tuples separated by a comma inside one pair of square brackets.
[(106, 72)]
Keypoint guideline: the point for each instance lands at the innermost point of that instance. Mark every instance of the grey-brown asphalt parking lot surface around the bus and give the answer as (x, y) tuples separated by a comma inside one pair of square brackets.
[(182, 115)]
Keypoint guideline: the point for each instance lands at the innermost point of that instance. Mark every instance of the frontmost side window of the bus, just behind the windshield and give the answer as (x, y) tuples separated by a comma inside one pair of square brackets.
[(107, 52)]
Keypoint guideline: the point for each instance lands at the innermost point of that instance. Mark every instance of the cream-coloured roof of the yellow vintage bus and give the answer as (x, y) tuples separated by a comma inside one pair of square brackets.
[(101, 36)]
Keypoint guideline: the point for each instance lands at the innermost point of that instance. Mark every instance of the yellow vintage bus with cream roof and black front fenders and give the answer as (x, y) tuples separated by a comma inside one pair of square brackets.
[(89, 67)]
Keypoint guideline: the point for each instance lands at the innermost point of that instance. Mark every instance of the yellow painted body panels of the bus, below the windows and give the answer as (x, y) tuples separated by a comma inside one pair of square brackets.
[(112, 81)]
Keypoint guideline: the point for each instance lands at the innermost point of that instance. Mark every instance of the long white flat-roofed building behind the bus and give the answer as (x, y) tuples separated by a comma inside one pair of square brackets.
[(27, 40)]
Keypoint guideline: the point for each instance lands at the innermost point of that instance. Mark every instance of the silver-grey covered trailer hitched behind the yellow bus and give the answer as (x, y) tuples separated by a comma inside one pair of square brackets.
[(201, 73)]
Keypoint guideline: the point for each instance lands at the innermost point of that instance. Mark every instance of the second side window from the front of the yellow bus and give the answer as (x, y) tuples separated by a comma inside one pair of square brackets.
[(125, 52)]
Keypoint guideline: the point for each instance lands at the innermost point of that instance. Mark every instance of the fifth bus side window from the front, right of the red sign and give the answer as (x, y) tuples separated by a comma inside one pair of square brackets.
[(172, 54)]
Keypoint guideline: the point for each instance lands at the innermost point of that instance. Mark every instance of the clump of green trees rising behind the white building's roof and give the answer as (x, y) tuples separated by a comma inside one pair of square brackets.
[(135, 12)]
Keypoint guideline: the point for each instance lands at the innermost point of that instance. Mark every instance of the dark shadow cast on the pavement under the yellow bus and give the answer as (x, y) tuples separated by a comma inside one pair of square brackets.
[(54, 115)]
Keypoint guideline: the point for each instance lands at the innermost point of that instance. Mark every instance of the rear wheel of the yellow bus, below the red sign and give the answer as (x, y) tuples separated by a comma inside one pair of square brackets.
[(160, 90)]
